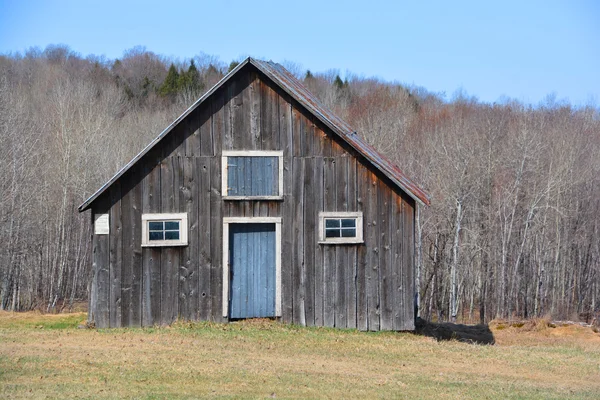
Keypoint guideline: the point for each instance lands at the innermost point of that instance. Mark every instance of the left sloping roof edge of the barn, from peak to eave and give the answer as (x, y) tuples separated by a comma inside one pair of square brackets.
[(86, 204)]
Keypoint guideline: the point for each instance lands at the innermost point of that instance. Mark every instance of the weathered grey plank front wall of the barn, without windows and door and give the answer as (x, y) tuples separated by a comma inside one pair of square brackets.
[(368, 286)]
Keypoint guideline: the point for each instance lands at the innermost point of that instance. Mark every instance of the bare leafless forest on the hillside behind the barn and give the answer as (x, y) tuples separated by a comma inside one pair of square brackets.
[(513, 229)]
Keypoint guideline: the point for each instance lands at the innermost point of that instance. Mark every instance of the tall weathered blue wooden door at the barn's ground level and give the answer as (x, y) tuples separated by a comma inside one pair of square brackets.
[(252, 270)]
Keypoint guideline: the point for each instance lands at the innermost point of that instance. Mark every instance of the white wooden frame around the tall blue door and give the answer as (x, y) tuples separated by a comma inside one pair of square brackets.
[(226, 267)]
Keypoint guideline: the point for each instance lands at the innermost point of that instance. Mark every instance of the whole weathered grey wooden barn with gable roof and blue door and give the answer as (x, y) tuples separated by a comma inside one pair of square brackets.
[(256, 202)]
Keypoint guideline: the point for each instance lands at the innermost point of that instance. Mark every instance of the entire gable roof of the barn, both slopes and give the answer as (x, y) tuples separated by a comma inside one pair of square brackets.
[(288, 83)]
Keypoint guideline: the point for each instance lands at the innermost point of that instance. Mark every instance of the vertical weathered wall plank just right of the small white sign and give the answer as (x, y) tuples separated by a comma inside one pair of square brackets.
[(116, 254)]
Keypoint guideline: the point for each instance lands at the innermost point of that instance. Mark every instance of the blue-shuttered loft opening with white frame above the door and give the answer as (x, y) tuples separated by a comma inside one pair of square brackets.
[(252, 175)]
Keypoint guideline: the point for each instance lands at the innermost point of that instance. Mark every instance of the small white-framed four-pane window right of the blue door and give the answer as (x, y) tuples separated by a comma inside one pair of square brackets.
[(340, 227)]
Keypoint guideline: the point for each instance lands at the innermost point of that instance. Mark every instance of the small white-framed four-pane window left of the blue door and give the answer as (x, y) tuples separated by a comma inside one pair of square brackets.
[(164, 230)]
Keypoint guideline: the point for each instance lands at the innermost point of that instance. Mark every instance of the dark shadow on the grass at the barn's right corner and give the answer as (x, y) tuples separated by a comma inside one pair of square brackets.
[(476, 334)]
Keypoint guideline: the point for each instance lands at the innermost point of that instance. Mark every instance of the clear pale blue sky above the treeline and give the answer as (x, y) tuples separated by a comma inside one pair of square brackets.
[(524, 50)]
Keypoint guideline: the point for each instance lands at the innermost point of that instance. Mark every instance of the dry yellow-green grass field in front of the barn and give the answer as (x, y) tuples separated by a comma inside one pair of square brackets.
[(46, 356)]
